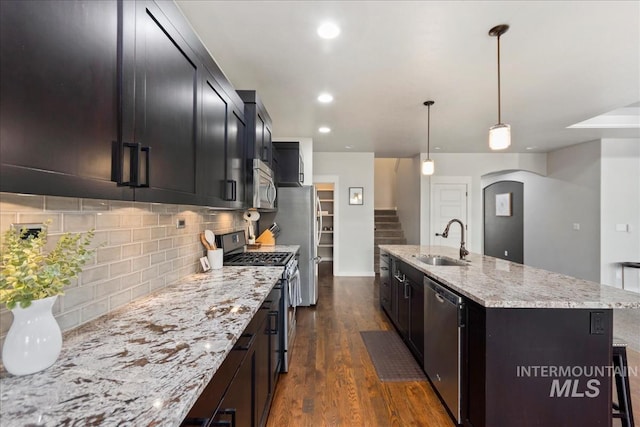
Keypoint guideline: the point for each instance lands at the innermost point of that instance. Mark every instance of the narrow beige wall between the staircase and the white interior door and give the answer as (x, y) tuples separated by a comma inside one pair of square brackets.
[(408, 192)]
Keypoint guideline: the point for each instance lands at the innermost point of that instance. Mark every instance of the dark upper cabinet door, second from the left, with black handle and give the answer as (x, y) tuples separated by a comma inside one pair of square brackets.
[(165, 109)]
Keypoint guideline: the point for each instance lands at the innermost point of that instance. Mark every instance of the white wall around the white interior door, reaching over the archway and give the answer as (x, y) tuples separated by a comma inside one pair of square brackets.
[(473, 166)]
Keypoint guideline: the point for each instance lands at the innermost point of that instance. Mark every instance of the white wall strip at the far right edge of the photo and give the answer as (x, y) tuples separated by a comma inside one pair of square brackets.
[(620, 204)]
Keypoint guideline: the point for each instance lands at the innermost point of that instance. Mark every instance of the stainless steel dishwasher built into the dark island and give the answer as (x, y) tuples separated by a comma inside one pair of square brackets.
[(442, 332)]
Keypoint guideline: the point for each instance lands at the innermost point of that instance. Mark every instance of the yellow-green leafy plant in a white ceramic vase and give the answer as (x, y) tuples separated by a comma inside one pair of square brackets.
[(30, 282)]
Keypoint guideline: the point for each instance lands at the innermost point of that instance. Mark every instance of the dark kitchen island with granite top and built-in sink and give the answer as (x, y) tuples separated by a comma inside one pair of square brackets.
[(535, 347)]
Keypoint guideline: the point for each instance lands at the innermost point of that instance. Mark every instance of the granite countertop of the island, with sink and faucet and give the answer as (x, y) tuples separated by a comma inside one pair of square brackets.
[(494, 282)]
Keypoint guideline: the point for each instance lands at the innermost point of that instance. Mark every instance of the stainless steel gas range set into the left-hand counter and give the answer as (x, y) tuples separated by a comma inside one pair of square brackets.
[(235, 254)]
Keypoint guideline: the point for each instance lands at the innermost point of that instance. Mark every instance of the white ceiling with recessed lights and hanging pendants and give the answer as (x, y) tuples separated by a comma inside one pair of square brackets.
[(562, 62)]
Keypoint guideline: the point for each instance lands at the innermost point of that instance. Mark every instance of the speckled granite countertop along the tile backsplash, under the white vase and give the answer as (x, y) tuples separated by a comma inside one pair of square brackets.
[(147, 362)]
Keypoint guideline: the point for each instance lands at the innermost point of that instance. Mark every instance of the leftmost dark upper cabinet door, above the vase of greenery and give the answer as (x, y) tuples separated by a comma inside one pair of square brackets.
[(59, 103)]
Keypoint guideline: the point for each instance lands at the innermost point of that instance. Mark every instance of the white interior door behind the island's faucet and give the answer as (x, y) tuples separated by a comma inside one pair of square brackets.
[(448, 201)]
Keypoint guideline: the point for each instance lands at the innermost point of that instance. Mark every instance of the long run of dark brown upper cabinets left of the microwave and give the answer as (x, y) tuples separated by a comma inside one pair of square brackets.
[(117, 100)]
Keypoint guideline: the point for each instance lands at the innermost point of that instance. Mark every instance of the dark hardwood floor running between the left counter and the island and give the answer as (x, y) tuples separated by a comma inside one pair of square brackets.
[(331, 380)]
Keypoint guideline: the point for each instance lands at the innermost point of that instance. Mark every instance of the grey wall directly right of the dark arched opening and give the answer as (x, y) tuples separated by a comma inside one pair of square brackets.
[(569, 195)]
